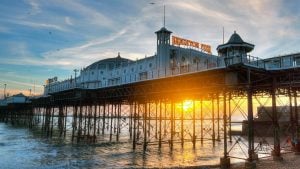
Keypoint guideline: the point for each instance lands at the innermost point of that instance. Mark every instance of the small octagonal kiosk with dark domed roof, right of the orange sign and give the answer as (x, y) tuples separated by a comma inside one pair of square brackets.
[(235, 50)]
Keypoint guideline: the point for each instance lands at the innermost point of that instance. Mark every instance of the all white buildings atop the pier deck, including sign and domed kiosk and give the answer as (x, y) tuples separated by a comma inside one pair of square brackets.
[(171, 59)]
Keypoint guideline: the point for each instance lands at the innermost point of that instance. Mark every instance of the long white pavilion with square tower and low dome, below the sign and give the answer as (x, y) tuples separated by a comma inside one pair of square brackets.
[(169, 61)]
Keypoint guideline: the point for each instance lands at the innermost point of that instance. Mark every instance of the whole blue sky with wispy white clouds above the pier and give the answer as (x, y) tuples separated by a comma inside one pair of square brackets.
[(46, 38)]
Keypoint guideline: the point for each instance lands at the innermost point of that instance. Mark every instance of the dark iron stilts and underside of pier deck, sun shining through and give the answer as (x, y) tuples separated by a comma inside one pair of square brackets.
[(156, 112)]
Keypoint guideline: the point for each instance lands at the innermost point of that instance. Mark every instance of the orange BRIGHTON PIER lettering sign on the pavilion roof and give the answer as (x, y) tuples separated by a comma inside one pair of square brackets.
[(180, 41)]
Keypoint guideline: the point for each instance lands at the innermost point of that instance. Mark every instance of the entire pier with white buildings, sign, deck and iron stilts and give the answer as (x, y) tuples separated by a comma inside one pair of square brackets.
[(181, 95)]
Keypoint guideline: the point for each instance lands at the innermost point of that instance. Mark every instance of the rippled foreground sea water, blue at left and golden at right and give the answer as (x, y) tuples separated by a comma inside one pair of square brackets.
[(24, 148)]
